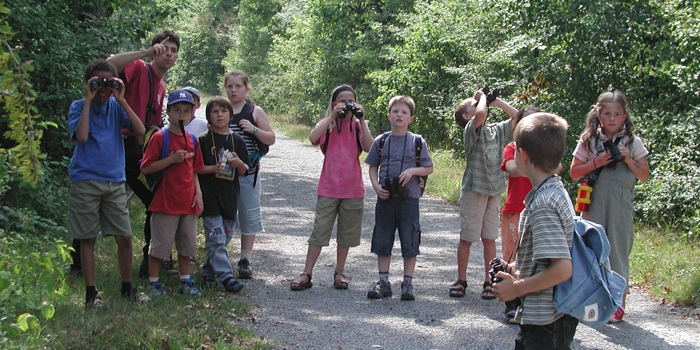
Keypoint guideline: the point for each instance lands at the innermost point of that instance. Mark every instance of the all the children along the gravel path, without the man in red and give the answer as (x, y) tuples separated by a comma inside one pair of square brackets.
[(215, 174)]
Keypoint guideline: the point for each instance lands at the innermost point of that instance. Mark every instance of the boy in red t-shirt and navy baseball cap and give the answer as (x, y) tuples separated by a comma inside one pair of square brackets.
[(177, 201)]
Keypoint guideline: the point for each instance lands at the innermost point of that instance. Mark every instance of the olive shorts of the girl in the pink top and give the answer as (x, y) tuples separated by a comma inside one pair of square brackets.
[(349, 213)]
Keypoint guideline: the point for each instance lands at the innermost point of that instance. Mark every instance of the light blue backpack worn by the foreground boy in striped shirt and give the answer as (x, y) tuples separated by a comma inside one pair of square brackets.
[(594, 291)]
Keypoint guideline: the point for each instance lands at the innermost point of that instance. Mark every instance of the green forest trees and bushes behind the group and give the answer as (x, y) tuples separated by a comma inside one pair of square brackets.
[(558, 55)]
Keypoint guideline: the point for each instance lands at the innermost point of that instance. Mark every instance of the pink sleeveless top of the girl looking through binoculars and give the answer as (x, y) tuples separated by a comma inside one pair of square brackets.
[(341, 176)]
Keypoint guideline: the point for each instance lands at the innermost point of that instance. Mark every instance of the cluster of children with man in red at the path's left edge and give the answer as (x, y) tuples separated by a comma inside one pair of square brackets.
[(207, 169)]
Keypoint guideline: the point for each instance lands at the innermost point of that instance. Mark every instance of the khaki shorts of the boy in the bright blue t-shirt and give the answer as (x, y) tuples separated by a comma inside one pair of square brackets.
[(95, 205)]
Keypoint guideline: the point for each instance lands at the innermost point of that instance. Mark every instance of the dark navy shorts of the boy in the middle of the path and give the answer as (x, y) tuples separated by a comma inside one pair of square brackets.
[(391, 214)]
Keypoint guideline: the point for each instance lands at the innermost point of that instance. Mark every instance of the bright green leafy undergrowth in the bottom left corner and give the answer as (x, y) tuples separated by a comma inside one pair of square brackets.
[(31, 283)]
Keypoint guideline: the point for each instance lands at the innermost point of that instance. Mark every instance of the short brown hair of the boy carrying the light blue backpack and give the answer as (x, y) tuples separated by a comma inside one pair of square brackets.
[(543, 137)]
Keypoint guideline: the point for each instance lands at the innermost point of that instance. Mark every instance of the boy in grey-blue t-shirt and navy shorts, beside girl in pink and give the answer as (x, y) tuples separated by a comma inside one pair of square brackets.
[(395, 178)]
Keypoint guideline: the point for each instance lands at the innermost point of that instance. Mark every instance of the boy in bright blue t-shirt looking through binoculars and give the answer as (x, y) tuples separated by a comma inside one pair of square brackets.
[(97, 197)]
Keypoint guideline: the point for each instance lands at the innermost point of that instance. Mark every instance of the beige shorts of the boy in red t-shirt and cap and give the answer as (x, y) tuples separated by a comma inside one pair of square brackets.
[(166, 229)]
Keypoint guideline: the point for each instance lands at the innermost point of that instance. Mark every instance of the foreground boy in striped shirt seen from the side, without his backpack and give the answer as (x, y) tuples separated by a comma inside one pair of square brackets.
[(547, 228)]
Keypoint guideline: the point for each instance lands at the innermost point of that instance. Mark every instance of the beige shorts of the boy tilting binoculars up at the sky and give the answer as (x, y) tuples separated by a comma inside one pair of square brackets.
[(478, 216)]
